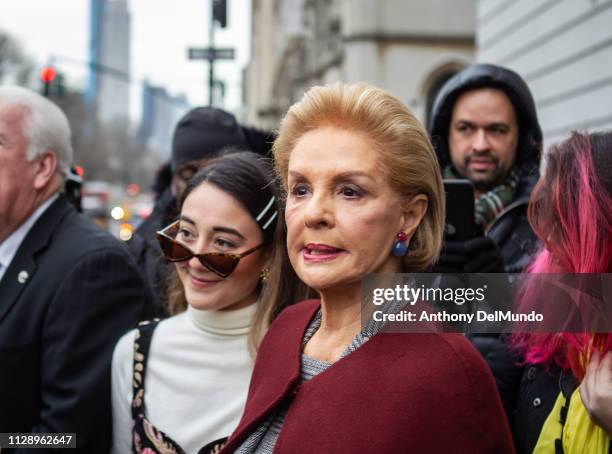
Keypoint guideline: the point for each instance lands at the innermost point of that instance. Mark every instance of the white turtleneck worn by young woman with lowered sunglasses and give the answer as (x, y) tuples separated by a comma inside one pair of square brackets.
[(196, 382)]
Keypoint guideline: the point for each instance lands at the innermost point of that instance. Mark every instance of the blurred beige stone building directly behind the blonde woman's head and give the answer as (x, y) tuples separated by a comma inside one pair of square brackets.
[(409, 47)]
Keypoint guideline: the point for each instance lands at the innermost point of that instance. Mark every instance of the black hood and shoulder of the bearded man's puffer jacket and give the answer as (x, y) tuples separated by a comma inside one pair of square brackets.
[(510, 230)]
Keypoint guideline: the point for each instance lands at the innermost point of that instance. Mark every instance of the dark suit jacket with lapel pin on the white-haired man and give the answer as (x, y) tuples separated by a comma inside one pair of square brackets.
[(69, 293)]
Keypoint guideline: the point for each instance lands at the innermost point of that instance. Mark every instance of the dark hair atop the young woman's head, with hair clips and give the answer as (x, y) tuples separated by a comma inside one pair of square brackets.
[(249, 179)]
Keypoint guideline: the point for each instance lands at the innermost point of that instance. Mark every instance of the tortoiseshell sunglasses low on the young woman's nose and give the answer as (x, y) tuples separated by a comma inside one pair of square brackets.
[(220, 263)]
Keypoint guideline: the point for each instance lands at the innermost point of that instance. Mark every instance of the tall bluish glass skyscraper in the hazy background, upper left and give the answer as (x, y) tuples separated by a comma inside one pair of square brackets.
[(109, 54)]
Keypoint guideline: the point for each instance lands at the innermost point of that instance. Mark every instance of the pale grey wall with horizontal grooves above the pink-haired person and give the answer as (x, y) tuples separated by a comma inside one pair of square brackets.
[(563, 49)]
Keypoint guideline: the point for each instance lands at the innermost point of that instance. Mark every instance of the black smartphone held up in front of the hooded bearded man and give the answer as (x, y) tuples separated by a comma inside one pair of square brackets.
[(460, 224)]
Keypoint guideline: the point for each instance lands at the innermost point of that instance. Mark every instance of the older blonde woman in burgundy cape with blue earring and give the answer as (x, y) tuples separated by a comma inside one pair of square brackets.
[(364, 195)]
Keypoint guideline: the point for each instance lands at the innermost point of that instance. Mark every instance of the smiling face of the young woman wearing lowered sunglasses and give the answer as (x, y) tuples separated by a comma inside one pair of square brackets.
[(214, 221)]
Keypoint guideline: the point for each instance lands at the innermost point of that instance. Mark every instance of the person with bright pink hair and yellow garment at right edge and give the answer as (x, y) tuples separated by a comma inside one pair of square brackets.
[(564, 402)]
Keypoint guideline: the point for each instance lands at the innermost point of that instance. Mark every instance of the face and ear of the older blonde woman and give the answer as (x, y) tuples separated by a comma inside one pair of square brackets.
[(342, 216)]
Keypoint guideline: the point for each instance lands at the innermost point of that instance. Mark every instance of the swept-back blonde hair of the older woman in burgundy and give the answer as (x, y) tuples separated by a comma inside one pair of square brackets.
[(406, 154)]
